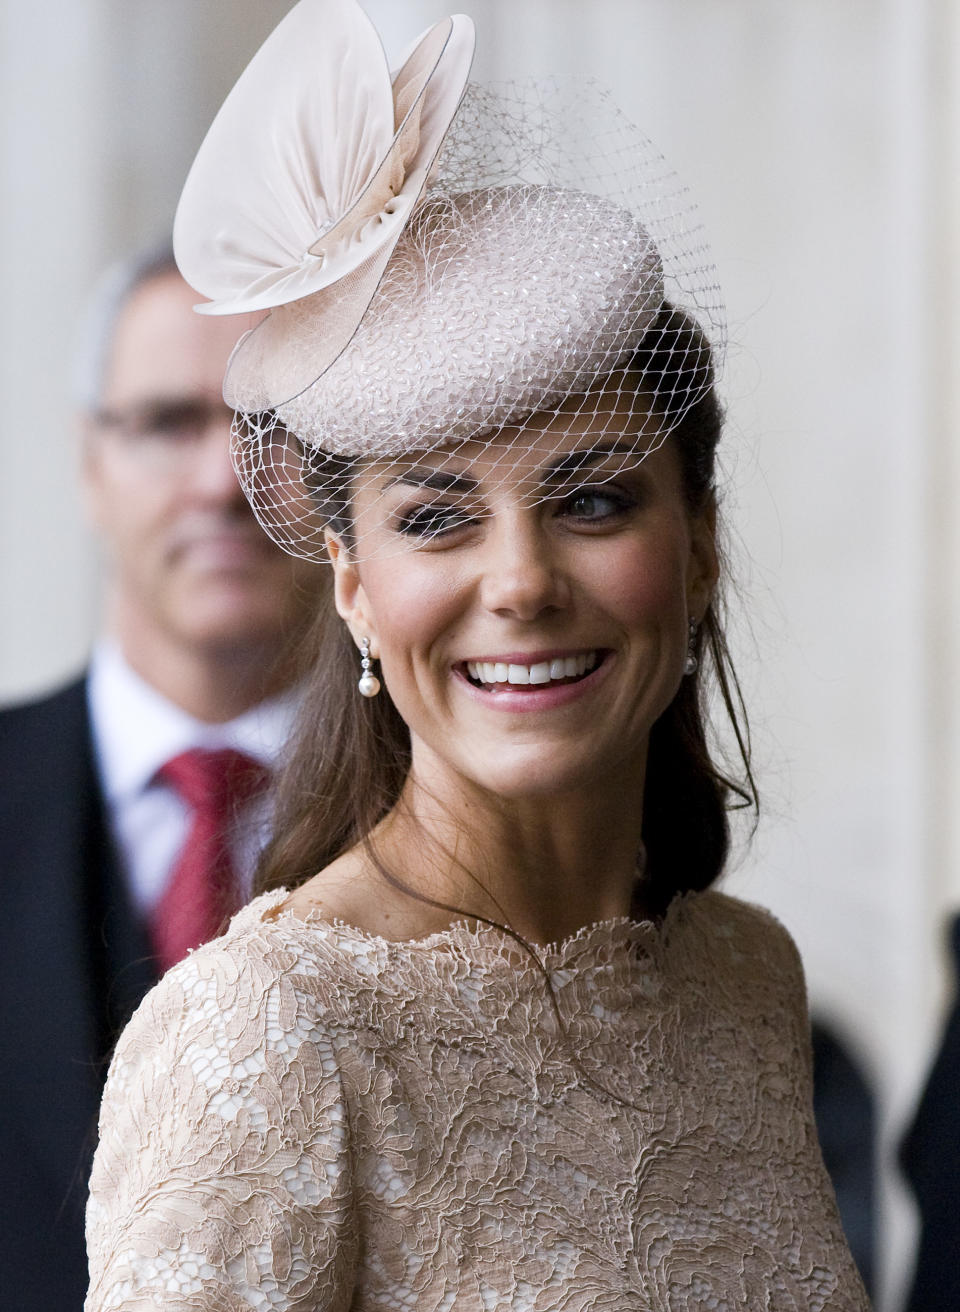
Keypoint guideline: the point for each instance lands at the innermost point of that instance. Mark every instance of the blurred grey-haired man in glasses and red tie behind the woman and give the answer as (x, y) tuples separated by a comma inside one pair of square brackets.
[(133, 802)]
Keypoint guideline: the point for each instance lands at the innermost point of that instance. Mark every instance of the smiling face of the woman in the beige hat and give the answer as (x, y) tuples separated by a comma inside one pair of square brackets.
[(529, 647)]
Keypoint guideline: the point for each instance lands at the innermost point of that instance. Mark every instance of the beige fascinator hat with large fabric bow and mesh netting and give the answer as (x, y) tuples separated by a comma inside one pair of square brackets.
[(440, 264)]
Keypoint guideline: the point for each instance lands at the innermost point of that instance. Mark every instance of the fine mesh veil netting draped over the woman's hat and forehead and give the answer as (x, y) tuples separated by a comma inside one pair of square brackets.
[(553, 297)]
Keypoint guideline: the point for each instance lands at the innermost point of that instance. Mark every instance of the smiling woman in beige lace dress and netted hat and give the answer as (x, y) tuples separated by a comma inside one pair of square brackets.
[(487, 1038)]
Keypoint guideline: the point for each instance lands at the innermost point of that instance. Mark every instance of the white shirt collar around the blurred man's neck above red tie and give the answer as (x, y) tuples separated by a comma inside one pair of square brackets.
[(137, 730)]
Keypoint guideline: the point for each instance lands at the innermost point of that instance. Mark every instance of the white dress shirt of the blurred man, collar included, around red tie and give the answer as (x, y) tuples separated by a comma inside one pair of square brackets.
[(136, 731)]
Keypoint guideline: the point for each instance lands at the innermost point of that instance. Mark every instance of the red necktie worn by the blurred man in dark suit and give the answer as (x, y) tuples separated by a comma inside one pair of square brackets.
[(203, 890)]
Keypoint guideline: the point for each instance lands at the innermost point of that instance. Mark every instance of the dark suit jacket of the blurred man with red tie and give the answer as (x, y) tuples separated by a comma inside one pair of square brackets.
[(74, 964)]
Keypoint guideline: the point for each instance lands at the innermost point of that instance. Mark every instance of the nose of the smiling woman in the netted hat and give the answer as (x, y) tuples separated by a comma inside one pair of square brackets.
[(523, 575)]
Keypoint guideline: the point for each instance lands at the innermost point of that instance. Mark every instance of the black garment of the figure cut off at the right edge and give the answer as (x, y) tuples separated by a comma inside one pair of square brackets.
[(932, 1162)]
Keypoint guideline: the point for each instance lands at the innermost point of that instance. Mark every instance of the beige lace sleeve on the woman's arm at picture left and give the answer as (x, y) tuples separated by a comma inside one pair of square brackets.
[(222, 1181)]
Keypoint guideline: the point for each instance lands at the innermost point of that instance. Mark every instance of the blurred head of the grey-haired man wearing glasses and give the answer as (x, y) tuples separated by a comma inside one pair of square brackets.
[(190, 564)]
